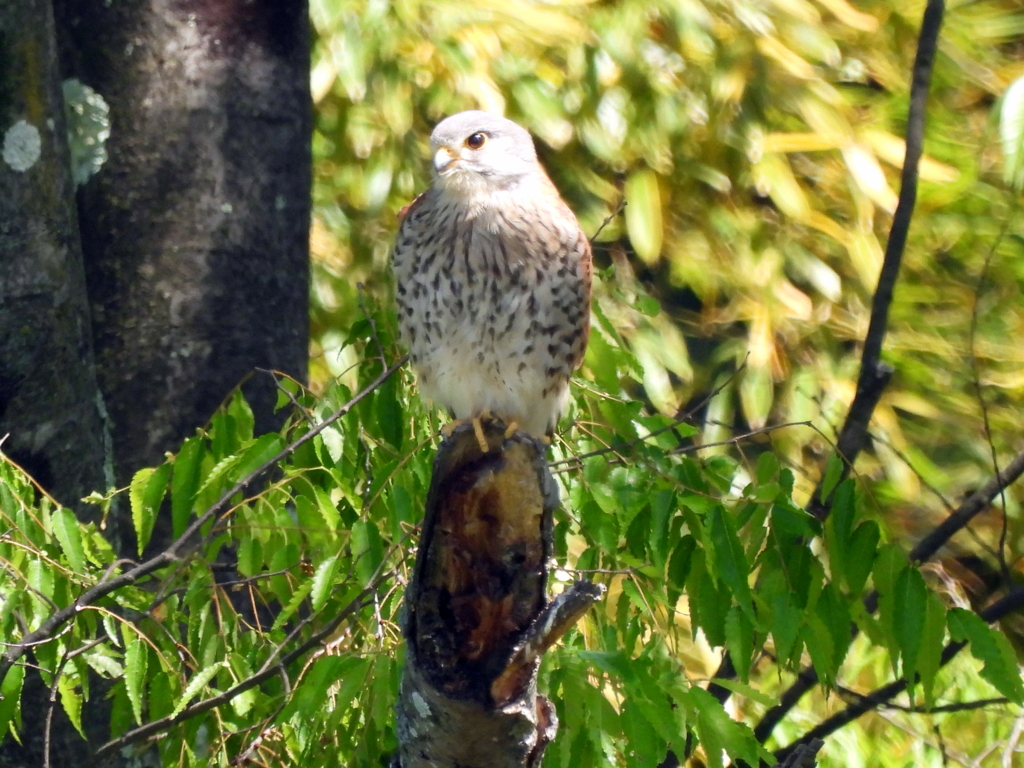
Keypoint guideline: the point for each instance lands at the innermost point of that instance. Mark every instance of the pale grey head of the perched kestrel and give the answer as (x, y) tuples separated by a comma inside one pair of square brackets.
[(476, 152)]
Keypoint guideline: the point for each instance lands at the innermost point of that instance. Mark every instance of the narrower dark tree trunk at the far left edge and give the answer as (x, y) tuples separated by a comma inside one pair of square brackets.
[(50, 407)]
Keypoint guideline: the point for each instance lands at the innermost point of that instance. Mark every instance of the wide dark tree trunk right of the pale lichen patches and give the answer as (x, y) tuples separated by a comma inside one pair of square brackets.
[(195, 231)]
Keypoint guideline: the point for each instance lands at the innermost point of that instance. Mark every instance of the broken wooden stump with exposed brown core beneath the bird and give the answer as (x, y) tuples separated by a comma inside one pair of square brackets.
[(478, 615)]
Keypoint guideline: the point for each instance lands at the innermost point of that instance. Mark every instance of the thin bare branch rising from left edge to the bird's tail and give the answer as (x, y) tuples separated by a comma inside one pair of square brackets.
[(182, 545)]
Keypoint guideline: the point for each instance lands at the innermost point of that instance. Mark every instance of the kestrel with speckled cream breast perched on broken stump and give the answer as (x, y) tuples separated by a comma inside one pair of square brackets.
[(494, 276)]
